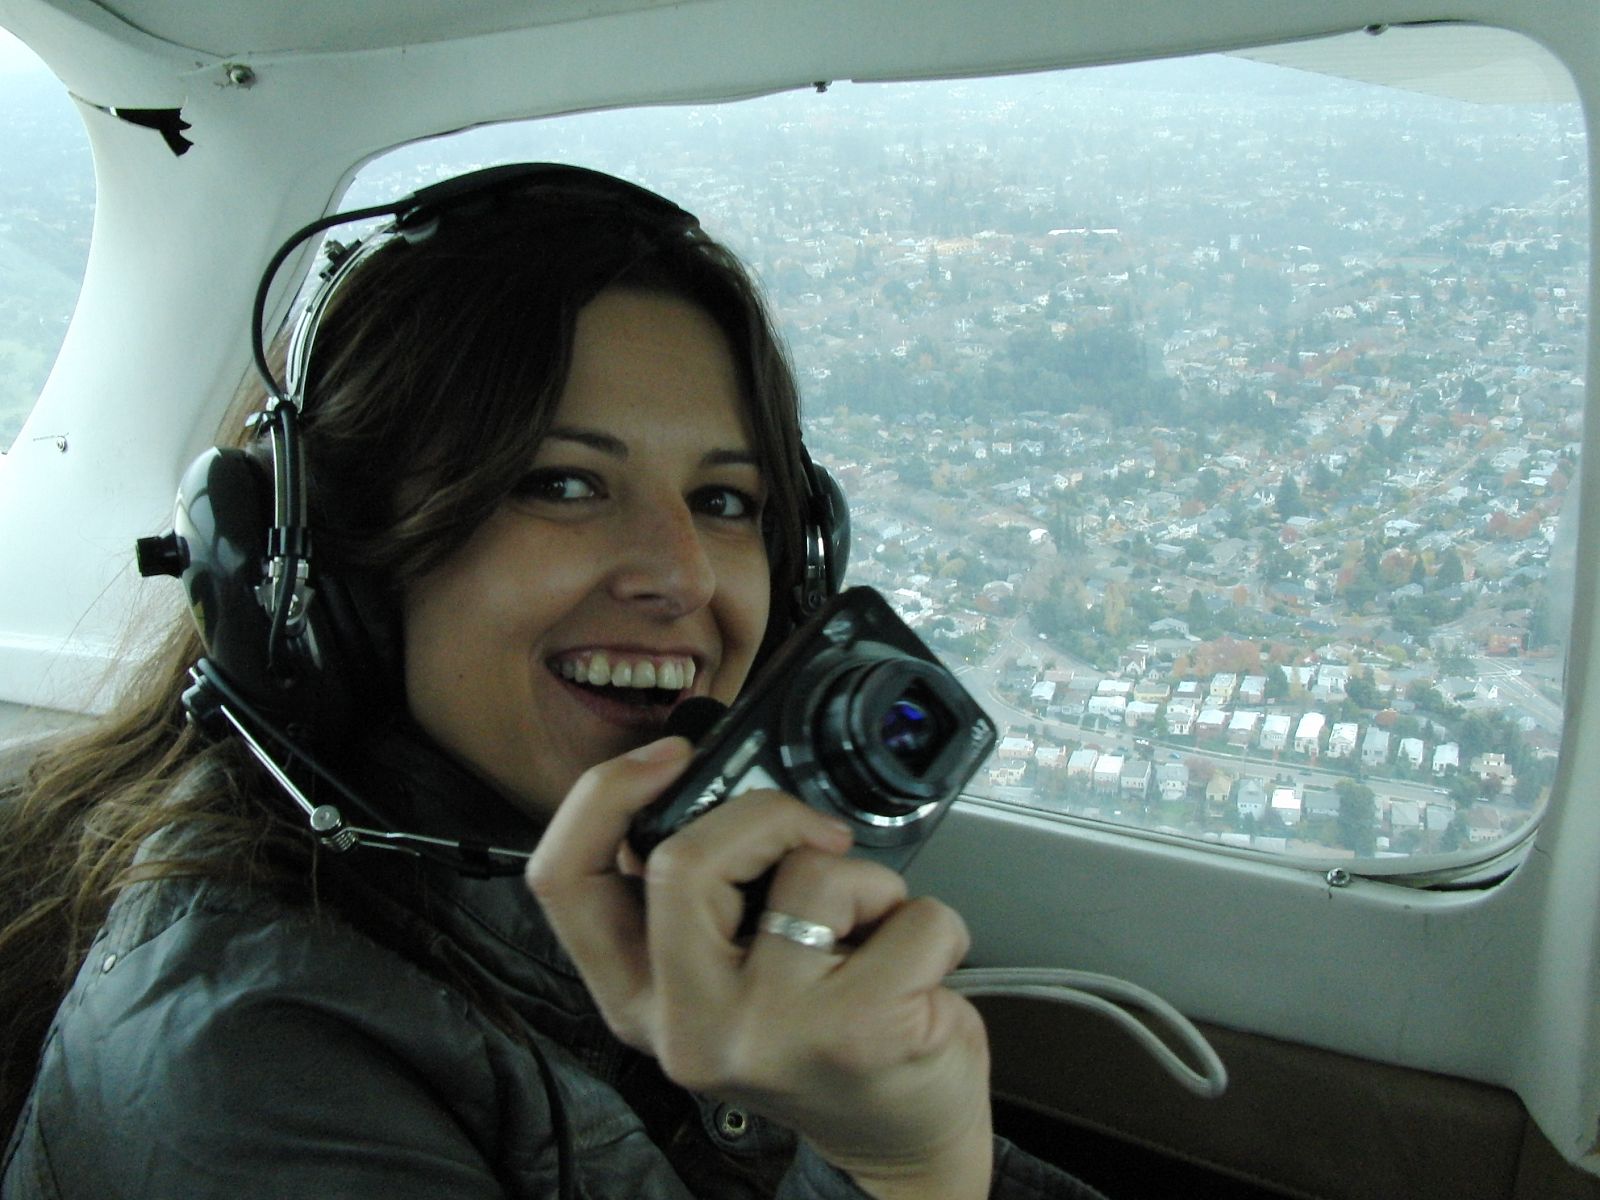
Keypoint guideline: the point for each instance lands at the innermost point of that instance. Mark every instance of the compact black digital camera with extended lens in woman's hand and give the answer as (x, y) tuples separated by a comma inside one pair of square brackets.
[(855, 718)]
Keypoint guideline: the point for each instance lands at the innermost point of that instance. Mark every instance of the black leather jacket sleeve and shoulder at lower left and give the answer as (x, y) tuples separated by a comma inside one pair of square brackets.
[(223, 1058)]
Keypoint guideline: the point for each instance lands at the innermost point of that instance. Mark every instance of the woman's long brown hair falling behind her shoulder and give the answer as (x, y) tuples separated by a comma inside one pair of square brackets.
[(434, 377)]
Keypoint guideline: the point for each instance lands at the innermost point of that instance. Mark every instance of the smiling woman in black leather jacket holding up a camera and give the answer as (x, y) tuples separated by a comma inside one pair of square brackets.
[(590, 510)]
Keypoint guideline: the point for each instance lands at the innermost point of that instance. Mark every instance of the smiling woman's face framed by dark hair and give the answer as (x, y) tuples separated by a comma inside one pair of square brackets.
[(626, 570)]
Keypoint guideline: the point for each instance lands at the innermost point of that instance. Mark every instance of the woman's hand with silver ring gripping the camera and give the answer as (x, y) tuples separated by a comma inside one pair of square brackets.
[(865, 1054)]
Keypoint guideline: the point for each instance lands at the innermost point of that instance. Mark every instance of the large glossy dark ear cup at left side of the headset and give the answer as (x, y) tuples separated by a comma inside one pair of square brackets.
[(329, 673)]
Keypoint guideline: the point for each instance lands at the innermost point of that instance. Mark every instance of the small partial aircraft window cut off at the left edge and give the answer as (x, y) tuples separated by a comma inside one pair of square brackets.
[(47, 207)]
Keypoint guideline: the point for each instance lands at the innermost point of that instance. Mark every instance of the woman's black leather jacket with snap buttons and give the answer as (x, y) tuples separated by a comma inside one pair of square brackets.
[(225, 1041)]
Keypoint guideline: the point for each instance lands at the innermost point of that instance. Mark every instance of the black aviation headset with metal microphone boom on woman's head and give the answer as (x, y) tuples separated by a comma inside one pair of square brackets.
[(292, 649)]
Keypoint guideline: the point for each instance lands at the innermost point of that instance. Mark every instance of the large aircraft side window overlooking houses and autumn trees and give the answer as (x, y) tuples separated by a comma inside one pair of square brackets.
[(1215, 418)]
